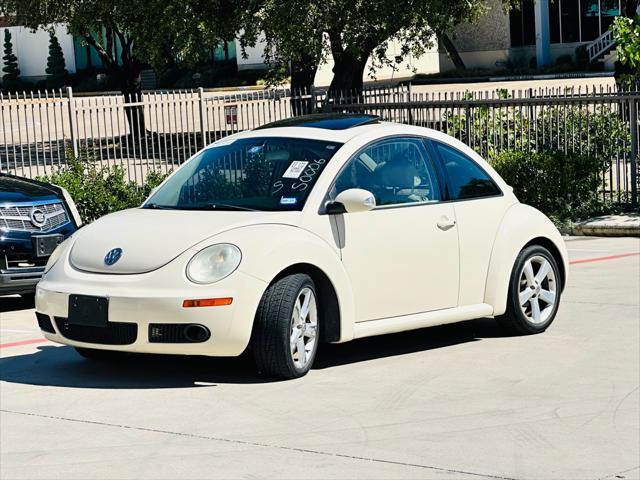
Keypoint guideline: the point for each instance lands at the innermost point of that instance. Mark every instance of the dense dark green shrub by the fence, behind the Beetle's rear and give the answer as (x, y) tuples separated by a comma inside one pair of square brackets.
[(562, 185)]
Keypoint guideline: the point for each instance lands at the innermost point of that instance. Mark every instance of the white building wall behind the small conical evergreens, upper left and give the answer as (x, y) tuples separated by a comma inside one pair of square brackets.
[(32, 50)]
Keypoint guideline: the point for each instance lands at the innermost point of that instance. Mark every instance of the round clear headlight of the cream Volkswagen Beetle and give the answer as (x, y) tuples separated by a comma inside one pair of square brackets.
[(214, 263)]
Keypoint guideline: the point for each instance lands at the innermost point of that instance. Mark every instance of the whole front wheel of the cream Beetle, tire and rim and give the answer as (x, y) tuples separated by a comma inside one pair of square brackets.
[(285, 333)]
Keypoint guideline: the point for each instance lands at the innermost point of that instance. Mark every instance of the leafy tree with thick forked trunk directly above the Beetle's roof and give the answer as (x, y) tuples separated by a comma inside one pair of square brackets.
[(356, 30)]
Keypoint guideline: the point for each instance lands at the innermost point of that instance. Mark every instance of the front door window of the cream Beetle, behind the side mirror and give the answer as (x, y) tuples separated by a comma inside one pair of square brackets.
[(396, 171)]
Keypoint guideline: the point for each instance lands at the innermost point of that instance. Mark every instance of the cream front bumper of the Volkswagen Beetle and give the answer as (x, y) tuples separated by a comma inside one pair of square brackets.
[(152, 298)]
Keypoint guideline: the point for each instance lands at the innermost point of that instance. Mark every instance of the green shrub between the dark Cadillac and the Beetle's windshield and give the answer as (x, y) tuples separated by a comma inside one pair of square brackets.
[(98, 190)]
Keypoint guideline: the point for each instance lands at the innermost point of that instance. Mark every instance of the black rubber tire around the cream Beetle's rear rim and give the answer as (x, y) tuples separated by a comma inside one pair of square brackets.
[(514, 320)]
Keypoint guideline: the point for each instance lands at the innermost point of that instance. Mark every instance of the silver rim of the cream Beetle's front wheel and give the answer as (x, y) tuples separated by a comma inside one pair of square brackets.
[(304, 328)]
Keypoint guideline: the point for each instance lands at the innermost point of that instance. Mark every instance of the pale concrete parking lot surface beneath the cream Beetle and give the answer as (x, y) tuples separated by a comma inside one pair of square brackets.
[(457, 401)]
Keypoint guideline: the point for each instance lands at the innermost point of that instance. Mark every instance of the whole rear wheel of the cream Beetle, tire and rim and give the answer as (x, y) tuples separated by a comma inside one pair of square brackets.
[(534, 292)]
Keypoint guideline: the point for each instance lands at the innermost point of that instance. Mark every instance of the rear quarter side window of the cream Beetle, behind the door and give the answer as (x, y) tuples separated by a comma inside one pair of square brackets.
[(467, 178)]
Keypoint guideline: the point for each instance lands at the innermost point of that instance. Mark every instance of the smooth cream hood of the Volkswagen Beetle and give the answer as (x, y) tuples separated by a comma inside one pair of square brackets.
[(150, 238)]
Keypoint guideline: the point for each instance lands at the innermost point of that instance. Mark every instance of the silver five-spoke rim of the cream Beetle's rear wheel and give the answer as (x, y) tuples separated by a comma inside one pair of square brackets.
[(537, 289)]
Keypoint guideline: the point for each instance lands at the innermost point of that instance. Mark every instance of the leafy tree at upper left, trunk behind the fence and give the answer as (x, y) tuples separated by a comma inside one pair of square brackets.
[(128, 34)]
